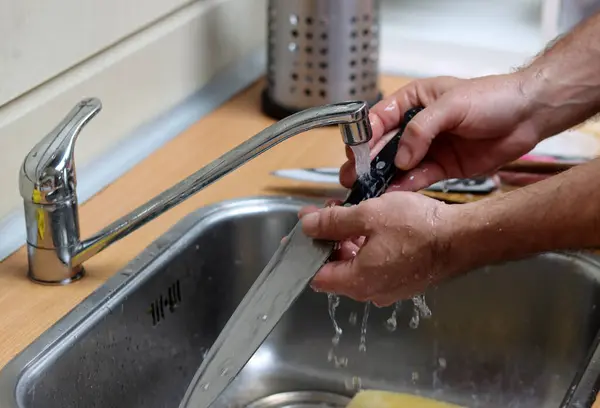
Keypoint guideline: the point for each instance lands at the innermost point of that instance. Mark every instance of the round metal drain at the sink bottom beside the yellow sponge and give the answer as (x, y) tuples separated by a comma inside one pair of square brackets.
[(302, 399)]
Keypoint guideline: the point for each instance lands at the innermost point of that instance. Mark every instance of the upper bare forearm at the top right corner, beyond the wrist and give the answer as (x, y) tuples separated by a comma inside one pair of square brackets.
[(563, 82)]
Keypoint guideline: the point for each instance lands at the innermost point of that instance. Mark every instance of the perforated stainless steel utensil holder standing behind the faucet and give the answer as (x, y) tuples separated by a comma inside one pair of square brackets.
[(320, 52)]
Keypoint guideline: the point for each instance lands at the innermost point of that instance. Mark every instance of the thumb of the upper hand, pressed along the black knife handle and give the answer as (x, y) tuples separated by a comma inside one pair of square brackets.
[(420, 132)]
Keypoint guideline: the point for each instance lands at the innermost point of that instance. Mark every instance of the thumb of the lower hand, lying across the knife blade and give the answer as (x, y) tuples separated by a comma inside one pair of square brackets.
[(335, 223)]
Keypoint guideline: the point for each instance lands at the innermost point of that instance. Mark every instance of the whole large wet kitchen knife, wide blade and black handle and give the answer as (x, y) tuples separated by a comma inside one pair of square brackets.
[(281, 282)]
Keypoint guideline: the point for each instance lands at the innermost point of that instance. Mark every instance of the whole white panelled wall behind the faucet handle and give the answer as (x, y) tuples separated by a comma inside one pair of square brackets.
[(139, 57)]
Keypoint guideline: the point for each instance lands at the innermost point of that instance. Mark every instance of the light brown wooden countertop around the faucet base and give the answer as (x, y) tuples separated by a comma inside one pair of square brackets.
[(29, 309)]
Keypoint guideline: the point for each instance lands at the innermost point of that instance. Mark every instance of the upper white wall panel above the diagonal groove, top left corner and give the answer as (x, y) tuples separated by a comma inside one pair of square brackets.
[(42, 38)]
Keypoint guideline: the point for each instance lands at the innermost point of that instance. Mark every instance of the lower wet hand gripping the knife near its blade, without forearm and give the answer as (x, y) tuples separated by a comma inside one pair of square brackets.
[(391, 247)]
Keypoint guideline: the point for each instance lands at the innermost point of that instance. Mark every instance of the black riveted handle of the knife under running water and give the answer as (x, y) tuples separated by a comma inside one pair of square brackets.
[(383, 169)]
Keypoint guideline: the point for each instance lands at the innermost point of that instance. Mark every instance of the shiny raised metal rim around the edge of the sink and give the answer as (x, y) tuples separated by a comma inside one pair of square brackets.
[(84, 316)]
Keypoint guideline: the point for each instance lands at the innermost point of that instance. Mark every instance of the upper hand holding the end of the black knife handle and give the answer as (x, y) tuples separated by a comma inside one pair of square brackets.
[(468, 127)]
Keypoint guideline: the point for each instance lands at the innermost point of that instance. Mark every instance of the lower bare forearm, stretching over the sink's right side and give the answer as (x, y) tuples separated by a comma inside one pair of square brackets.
[(560, 213)]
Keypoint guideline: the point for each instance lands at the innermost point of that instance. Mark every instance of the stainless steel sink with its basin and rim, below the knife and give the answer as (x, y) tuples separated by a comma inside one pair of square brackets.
[(519, 334)]
